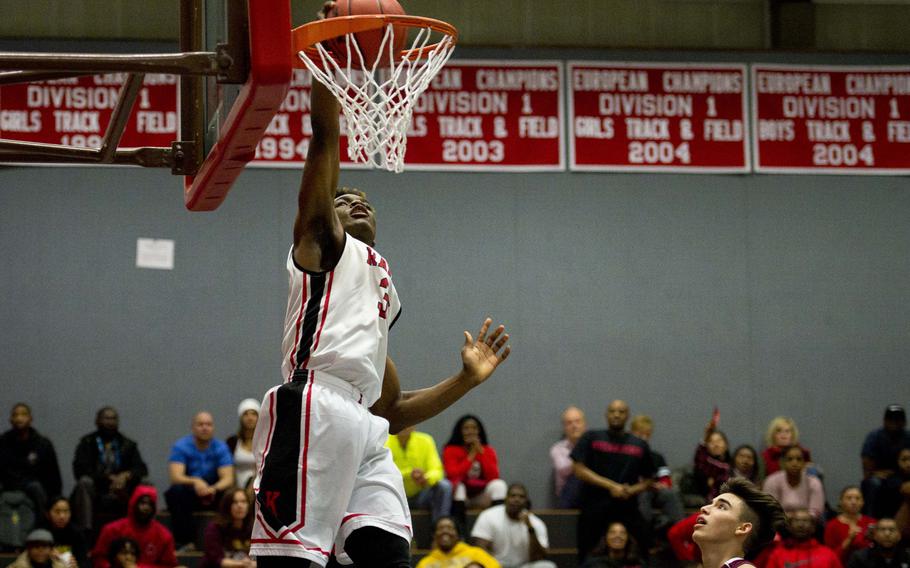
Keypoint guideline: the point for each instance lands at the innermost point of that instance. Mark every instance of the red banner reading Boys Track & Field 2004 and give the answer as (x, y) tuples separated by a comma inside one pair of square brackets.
[(832, 120)]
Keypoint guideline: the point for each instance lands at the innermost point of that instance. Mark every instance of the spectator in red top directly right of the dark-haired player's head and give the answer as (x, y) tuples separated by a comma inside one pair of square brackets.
[(799, 548)]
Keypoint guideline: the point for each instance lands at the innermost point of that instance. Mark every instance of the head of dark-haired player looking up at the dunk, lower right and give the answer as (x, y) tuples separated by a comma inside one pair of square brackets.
[(738, 523)]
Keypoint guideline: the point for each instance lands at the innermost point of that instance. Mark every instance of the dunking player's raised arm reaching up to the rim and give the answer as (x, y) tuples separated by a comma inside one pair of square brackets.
[(318, 235)]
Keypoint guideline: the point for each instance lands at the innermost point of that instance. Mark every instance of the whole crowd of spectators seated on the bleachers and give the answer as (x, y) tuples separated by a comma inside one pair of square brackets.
[(631, 507)]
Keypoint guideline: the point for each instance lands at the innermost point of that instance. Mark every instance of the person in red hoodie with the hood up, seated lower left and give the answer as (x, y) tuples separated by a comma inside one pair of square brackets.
[(156, 543)]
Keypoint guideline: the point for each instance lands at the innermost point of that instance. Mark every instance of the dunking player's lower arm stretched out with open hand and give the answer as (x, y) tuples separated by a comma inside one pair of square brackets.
[(479, 359)]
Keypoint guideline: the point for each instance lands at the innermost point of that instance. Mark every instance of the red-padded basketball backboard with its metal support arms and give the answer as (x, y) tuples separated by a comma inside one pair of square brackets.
[(234, 69)]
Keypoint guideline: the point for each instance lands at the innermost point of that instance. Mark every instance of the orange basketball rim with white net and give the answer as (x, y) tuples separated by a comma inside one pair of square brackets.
[(377, 91)]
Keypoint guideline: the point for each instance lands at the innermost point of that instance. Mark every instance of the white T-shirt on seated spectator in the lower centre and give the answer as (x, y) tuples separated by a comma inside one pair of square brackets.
[(510, 537)]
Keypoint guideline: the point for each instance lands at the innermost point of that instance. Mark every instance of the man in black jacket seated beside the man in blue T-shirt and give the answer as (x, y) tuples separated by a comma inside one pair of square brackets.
[(107, 467)]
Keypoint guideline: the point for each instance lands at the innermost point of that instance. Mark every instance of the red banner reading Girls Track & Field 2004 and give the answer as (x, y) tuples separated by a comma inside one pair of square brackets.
[(658, 117)]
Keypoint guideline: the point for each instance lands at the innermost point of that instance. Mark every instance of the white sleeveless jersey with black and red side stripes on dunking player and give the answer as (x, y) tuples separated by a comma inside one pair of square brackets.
[(338, 322)]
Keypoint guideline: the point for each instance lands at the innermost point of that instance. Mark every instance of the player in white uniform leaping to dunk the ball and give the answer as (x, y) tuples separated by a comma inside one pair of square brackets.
[(326, 485)]
